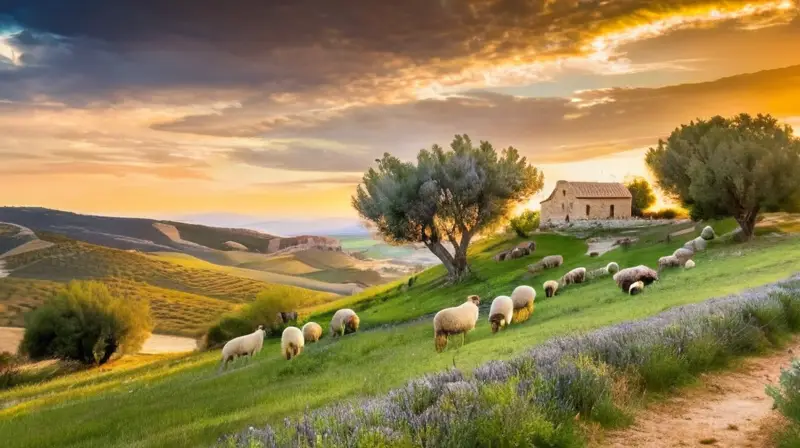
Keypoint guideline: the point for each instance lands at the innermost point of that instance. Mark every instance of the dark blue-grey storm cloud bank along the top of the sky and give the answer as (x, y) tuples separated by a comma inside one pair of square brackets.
[(99, 50)]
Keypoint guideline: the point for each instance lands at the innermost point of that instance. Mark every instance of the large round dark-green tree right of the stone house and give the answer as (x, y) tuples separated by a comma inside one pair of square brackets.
[(730, 167)]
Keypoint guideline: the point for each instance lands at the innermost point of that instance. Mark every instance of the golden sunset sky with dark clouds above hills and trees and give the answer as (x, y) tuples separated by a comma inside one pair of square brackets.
[(275, 108)]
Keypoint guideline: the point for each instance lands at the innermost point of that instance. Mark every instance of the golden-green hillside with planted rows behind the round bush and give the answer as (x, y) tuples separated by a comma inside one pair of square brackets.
[(184, 300)]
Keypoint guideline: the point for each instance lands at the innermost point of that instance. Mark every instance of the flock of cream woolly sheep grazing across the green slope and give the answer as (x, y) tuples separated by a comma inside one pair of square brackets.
[(459, 320)]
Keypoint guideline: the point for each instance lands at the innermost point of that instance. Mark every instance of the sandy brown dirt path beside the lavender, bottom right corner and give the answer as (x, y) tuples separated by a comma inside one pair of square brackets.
[(730, 409)]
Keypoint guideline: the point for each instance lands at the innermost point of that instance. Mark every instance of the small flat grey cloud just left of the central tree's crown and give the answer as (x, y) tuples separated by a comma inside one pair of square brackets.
[(302, 158)]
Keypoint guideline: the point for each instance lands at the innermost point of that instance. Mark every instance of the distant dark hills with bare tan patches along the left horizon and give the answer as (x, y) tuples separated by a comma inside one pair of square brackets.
[(311, 262)]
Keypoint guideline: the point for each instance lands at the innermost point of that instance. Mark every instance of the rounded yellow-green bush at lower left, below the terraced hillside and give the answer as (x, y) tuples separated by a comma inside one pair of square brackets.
[(84, 322)]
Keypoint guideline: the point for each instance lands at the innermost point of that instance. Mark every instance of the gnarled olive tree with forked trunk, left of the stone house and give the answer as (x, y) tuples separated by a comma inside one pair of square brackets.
[(448, 196)]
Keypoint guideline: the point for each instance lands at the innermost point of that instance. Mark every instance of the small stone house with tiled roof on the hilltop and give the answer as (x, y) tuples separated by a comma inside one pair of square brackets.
[(572, 201)]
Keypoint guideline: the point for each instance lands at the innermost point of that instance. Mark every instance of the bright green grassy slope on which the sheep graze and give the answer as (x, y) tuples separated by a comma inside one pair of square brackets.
[(182, 402)]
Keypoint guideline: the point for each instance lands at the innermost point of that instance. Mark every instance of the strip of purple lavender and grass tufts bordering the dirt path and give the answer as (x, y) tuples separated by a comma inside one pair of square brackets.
[(540, 398)]
